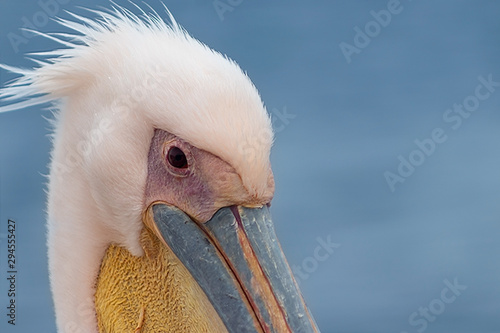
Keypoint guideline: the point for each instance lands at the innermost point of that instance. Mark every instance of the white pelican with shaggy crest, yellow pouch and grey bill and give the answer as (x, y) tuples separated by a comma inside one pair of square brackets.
[(160, 183)]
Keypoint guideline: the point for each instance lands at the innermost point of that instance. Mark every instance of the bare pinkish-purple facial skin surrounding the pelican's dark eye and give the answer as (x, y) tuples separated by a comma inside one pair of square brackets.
[(206, 185)]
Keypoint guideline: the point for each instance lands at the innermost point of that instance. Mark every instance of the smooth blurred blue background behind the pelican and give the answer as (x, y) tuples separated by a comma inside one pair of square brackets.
[(347, 108)]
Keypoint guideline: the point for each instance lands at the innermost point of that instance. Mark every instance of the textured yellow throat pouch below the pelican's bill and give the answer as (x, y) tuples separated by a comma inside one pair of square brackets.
[(153, 293)]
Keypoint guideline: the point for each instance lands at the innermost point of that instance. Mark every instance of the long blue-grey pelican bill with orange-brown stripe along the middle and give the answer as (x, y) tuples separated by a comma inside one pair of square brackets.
[(237, 261)]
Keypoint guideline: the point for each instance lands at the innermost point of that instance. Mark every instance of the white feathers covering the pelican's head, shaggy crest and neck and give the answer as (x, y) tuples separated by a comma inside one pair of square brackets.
[(114, 81)]
